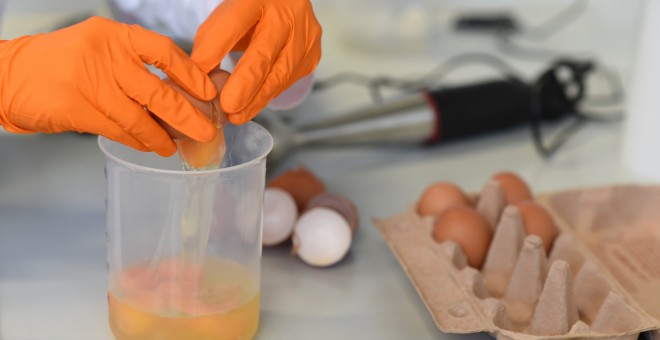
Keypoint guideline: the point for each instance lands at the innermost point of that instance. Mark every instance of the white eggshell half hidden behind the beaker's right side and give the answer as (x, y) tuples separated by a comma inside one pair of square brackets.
[(280, 214)]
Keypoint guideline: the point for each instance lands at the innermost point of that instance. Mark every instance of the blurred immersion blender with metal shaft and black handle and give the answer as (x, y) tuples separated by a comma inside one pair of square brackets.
[(429, 117)]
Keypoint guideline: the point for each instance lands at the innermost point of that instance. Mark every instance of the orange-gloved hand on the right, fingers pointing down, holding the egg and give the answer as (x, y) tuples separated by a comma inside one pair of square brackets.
[(281, 40)]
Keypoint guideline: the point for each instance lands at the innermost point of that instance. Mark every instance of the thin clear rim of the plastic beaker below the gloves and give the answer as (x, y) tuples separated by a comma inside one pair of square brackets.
[(101, 140)]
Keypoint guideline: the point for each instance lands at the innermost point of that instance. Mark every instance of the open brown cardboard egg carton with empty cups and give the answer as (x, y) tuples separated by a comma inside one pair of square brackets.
[(600, 280)]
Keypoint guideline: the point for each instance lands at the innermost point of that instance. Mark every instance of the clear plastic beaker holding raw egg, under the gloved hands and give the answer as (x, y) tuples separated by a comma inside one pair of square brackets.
[(184, 247)]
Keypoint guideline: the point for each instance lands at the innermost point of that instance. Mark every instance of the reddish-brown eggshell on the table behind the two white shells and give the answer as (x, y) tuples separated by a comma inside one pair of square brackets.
[(300, 183)]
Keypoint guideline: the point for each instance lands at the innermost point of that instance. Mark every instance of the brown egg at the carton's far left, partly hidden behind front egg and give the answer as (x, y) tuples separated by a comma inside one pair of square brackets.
[(439, 196)]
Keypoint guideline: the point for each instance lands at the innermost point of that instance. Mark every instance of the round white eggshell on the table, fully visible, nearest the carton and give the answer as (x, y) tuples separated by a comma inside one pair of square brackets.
[(321, 237)]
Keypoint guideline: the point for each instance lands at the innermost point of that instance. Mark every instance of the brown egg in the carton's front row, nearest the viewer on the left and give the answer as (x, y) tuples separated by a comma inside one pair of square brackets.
[(465, 226)]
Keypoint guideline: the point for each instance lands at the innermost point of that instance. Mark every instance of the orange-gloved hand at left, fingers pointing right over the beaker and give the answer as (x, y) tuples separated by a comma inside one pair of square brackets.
[(91, 77)]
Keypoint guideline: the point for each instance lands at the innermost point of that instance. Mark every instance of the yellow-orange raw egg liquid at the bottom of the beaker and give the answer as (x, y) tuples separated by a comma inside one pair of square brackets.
[(173, 300)]
